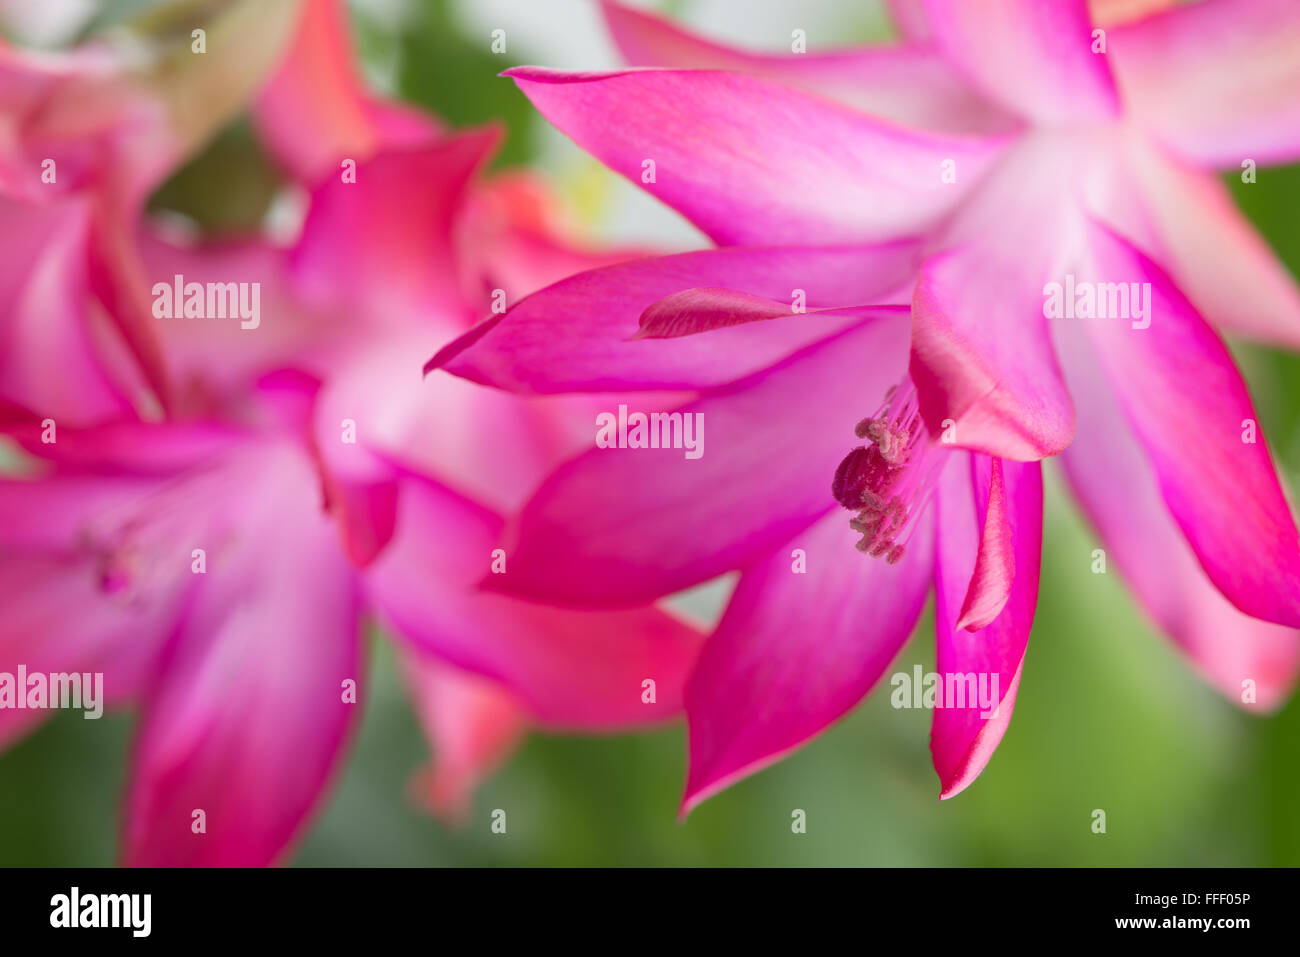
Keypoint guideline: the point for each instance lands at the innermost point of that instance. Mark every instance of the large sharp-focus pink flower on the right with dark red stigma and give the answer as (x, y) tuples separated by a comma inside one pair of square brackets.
[(964, 172)]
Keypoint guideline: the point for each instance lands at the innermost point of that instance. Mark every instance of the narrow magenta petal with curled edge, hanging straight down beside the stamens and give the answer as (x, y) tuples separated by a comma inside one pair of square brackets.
[(965, 734)]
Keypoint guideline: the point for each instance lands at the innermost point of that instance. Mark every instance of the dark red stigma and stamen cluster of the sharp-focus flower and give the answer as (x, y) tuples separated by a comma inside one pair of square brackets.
[(889, 482)]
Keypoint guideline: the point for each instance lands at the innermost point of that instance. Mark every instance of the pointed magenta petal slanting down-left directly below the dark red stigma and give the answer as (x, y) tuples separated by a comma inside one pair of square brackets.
[(795, 652)]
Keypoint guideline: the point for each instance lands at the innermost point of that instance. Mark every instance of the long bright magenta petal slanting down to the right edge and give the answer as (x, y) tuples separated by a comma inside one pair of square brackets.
[(1186, 402)]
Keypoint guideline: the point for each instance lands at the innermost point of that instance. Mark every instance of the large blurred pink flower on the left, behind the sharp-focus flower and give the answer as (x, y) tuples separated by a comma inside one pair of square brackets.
[(218, 568)]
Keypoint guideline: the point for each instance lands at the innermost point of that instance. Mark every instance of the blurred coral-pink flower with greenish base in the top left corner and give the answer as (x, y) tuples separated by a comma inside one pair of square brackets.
[(85, 137)]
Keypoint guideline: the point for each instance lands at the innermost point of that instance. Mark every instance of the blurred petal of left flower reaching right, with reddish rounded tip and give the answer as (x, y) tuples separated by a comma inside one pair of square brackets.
[(570, 669)]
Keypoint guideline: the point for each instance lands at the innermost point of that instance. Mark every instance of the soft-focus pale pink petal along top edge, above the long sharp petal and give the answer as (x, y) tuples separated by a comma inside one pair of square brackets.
[(909, 85)]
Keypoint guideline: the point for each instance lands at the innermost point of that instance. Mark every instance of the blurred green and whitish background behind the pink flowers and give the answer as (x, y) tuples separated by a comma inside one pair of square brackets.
[(1108, 716)]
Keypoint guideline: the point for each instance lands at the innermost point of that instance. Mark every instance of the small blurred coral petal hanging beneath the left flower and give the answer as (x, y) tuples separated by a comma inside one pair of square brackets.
[(473, 726)]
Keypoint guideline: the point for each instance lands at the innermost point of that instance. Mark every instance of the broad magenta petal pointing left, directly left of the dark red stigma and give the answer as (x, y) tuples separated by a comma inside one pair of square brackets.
[(621, 526)]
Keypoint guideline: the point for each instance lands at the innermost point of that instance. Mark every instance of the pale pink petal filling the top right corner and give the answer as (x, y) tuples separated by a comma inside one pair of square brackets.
[(1216, 81)]
